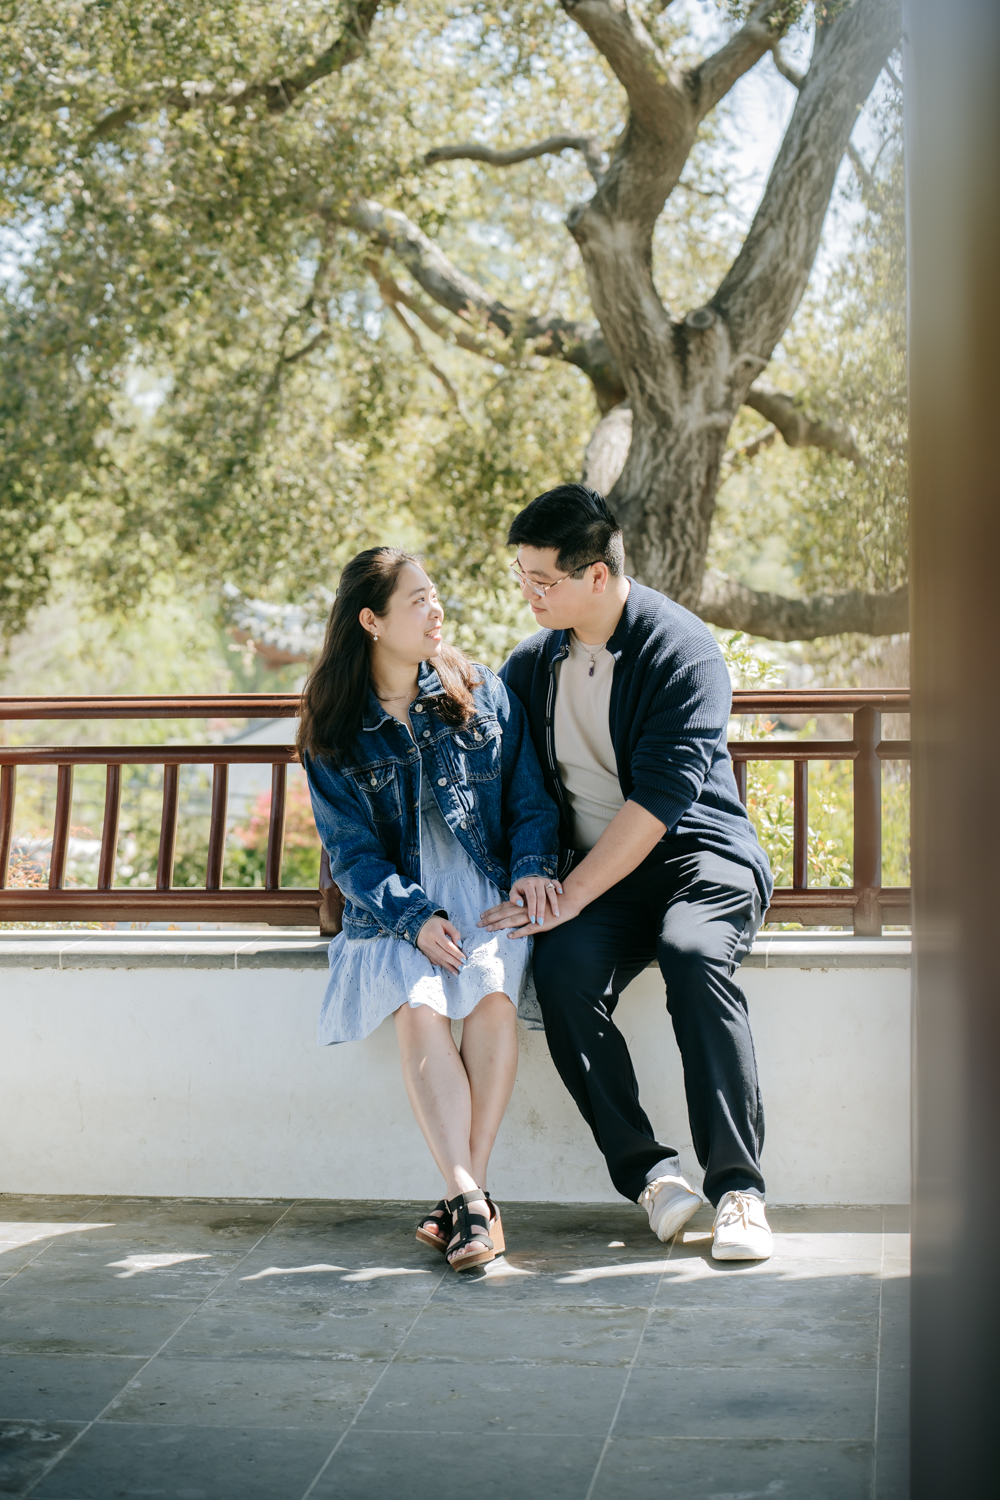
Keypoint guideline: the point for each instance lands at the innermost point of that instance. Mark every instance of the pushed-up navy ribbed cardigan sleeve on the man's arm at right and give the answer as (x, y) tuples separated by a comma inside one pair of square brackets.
[(680, 737)]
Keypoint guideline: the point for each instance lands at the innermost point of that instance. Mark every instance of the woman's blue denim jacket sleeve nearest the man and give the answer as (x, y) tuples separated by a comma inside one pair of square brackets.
[(531, 820)]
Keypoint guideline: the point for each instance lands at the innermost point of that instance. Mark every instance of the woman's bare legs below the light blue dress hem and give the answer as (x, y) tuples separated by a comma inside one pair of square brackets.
[(460, 1097)]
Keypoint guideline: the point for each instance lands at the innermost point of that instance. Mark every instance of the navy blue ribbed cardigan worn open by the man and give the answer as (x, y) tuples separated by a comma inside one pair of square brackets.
[(669, 713)]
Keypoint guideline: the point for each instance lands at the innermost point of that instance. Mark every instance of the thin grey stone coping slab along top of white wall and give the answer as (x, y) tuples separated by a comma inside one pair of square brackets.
[(296, 950)]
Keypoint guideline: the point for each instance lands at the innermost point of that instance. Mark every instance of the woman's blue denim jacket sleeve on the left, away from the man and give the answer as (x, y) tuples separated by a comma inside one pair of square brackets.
[(358, 859)]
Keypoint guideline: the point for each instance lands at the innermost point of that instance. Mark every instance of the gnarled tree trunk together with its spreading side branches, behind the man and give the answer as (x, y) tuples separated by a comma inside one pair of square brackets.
[(678, 382)]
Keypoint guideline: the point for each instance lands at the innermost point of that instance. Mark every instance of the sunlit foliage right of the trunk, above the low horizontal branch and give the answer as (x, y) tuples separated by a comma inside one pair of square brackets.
[(807, 521)]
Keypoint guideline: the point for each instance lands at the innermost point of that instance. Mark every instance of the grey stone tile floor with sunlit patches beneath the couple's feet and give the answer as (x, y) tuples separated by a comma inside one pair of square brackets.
[(280, 1351)]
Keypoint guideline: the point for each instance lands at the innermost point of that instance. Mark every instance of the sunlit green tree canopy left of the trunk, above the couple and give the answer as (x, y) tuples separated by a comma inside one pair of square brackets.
[(199, 379)]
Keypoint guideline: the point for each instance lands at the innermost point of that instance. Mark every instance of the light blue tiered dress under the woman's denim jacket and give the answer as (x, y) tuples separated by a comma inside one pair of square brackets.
[(373, 977)]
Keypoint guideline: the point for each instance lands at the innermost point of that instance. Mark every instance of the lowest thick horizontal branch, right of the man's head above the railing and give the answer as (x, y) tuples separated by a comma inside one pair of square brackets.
[(734, 607)]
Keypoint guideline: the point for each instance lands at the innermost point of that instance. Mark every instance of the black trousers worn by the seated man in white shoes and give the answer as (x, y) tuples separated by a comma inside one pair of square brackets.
[(696, 916)]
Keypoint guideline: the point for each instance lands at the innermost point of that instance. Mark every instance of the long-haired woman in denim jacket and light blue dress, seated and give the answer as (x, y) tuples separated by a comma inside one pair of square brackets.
[(430, 800)]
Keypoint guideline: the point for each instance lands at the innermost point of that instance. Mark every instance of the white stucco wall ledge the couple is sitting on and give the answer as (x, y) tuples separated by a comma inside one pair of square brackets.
[(118, 1076)]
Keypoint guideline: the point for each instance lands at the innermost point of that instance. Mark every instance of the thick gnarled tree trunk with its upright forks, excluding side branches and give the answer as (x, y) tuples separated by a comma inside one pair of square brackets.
[(686, 380)]
